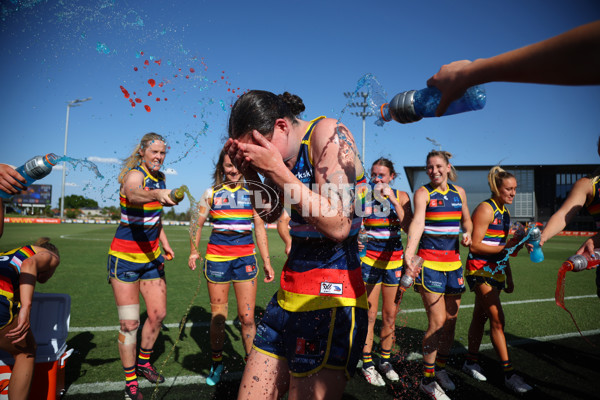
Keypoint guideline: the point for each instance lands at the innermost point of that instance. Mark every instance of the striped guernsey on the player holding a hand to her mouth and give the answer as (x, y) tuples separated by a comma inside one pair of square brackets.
[(382, 224)]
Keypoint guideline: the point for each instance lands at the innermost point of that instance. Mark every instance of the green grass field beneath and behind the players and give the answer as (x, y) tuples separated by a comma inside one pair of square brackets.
[(545, 345)]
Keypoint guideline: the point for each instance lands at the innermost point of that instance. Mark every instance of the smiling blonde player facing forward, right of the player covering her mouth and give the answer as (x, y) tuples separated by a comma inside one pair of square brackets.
[(441, 213)]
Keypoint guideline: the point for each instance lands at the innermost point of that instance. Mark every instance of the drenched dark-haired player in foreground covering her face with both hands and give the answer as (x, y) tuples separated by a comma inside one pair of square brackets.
[(311, 335)]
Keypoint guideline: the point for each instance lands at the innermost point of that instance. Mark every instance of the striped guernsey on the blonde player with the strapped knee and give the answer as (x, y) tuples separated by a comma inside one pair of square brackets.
[(137, 236)]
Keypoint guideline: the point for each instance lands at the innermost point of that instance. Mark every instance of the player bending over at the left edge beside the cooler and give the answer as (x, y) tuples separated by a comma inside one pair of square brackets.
[(20, 269)]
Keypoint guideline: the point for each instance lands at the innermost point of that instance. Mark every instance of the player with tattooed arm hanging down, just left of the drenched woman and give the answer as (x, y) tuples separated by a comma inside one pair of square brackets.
[(230, 256)]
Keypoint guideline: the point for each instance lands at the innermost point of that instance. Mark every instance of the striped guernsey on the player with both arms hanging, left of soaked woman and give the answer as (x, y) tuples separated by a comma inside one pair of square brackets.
[(232, 215)]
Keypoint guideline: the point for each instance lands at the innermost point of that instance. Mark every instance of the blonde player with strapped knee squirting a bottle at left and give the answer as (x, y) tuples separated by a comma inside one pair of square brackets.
[(135, 263)]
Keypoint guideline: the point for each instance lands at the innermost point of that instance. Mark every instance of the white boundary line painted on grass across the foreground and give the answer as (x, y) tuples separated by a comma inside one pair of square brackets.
[(101, 387)]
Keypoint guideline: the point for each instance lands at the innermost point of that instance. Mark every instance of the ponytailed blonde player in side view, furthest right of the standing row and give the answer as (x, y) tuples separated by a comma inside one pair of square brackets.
[(488, 273)]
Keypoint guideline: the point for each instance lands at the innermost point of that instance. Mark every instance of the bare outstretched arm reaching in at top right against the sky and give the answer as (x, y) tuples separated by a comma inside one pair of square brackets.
[(571, 58)]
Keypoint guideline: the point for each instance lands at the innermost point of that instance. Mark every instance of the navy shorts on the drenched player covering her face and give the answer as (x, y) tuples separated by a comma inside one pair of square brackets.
[(311, 340)]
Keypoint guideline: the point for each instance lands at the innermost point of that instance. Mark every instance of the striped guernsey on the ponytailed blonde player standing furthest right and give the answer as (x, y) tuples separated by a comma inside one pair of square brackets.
[(495, 235)]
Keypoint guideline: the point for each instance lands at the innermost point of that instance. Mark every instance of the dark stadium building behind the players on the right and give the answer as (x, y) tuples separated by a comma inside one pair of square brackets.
[(541, 189)]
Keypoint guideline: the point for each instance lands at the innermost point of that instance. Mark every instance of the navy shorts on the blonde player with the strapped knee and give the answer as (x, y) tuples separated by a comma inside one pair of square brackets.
[(130, 272)]
